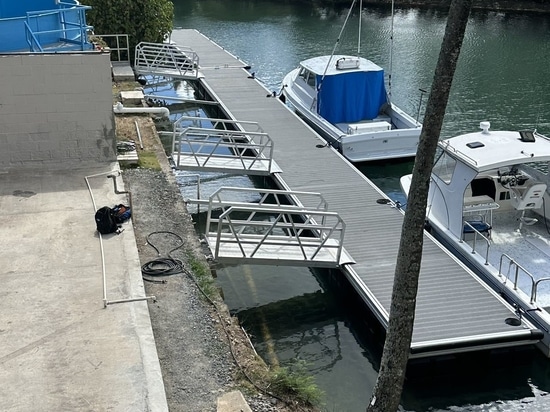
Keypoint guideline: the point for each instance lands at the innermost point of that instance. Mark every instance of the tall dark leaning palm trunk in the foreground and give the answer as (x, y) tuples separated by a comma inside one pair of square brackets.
[(389, 385)]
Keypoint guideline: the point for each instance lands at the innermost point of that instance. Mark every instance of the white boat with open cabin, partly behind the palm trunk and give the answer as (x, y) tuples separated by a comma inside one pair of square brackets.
[(489, 203)]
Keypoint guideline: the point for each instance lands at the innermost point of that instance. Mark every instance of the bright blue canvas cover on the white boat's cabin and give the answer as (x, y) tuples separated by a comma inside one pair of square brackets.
[(351, 97)]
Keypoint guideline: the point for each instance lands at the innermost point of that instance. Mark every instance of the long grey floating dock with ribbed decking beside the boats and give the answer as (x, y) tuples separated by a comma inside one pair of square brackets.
[(456, 312)]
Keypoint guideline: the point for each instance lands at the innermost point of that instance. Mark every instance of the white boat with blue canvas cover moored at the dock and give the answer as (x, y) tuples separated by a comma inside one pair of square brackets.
[(344, 99)]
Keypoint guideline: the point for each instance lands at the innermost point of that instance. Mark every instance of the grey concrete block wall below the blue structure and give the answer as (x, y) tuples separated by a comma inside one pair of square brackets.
[(56, 110)]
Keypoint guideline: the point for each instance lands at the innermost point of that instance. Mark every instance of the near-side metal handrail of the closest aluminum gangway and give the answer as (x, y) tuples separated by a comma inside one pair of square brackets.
[(228, 232)]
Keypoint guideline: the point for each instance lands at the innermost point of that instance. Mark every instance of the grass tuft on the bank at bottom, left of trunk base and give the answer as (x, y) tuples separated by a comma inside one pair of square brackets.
[(296, 383)]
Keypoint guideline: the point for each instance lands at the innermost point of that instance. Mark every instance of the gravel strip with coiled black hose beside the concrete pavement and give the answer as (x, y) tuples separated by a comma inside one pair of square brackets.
[(196, 364)]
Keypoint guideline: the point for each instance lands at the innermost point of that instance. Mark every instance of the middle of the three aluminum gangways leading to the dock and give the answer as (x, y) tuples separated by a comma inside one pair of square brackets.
[(221, 145)]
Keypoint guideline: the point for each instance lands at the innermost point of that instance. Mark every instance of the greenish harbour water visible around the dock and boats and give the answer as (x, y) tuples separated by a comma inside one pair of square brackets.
[(290, 312)]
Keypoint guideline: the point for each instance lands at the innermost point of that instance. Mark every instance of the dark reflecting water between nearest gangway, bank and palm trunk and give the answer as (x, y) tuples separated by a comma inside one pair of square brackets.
[(309, 315)]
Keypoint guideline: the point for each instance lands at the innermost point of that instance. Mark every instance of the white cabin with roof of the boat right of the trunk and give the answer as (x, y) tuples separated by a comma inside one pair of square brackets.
[(478, 173)]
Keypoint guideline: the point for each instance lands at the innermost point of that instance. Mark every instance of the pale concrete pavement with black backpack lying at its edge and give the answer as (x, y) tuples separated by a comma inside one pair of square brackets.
[(61, 349)]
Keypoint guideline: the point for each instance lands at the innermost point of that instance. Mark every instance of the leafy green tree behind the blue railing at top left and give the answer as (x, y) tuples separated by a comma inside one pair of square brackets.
[(142, 20)]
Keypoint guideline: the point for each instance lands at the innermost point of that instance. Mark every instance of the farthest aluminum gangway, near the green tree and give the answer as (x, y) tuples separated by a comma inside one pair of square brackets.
[(166, 59)]
